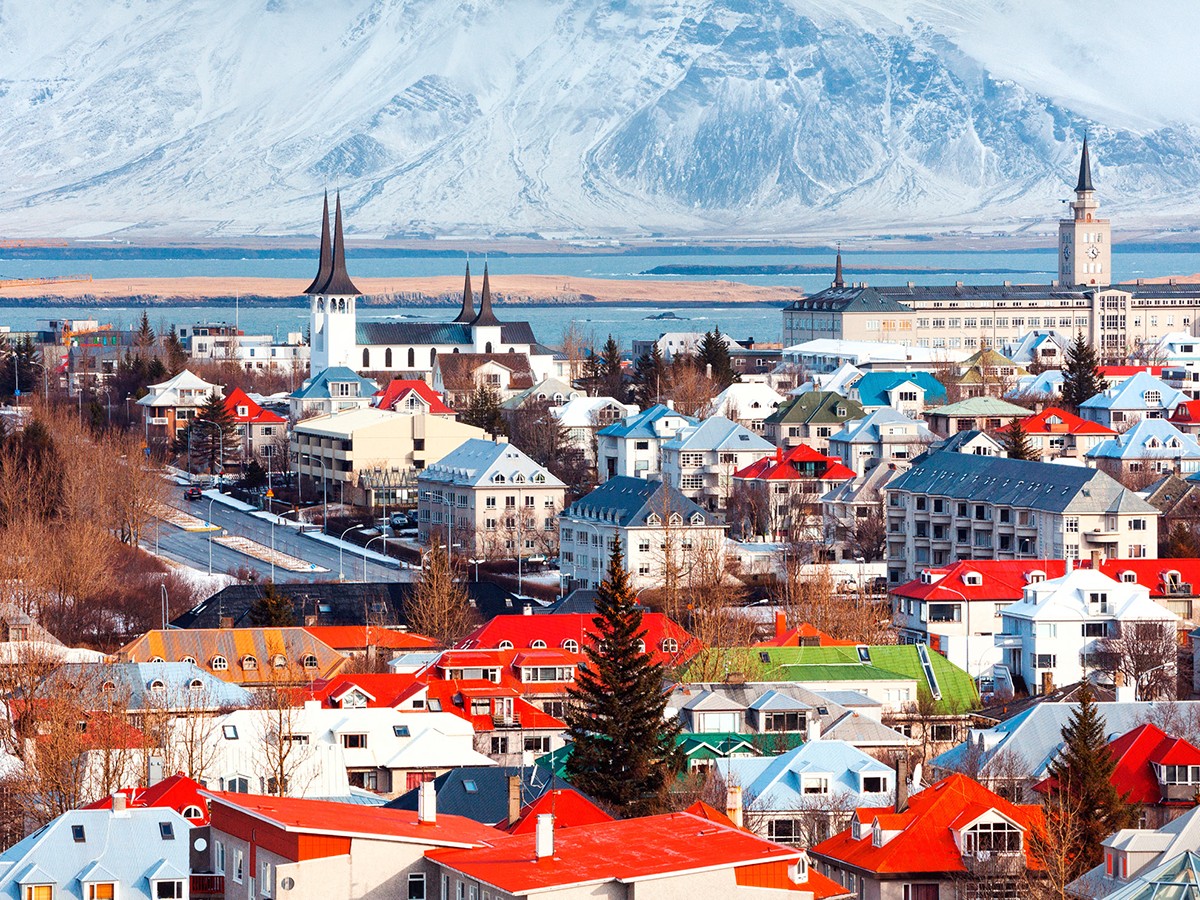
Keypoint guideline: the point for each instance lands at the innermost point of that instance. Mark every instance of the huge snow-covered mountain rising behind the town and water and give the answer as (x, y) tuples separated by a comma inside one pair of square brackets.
[(590, 118)]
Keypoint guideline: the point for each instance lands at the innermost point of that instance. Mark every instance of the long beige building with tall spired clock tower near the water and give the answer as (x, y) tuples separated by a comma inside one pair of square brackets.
[(1119, 319)]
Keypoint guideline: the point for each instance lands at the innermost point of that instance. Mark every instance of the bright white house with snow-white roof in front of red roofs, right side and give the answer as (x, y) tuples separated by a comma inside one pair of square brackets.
[(1052, 637)]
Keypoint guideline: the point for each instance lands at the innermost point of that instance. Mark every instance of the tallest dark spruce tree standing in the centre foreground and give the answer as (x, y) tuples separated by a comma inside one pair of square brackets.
[(623, 753)]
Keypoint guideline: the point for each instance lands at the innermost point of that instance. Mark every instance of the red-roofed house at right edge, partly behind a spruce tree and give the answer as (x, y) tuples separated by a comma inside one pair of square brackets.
[(1153, 770)]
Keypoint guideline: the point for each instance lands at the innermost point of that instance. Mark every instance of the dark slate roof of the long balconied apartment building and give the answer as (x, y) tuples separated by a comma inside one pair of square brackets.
[(1016, 483)]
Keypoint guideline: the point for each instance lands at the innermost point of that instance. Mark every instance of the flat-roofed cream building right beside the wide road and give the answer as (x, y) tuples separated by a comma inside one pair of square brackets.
[(373, 457)]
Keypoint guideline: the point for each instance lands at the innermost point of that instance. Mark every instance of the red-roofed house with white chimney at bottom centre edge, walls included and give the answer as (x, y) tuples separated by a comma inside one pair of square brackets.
[(677, 854)]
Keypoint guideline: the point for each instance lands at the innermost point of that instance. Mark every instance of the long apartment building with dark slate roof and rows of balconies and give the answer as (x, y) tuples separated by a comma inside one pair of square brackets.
[(965, 507)]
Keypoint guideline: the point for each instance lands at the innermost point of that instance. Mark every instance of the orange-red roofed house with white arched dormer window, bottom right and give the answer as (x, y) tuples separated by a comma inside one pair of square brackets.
[(933, 842)]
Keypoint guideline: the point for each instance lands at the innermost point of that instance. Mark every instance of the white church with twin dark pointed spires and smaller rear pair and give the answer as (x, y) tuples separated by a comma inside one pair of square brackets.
[(405, 350)]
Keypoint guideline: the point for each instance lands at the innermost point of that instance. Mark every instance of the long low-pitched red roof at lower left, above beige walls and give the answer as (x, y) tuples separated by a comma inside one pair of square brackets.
[(345, 820)]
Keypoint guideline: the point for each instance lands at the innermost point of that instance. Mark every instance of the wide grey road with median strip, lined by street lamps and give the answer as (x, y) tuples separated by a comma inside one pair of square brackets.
[(194, 548)]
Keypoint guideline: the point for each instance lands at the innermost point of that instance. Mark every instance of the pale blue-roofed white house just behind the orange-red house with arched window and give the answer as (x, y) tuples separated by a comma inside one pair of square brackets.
[(808, 794)]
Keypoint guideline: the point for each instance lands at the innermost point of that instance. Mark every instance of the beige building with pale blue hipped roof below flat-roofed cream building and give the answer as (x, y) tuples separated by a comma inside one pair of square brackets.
[(489, 500)]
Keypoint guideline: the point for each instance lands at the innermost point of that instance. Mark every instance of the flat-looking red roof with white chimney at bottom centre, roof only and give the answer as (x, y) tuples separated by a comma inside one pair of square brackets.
[(625, 853)]
